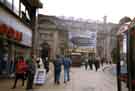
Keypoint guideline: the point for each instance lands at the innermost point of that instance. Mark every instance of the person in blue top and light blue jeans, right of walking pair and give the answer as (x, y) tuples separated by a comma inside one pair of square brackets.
[(67, 64)]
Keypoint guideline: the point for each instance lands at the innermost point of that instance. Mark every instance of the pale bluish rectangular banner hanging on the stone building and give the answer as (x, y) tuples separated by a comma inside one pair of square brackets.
[(84, 39)]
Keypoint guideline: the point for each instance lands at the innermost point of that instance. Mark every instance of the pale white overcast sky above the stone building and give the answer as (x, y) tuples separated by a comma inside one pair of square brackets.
[(90, 9)]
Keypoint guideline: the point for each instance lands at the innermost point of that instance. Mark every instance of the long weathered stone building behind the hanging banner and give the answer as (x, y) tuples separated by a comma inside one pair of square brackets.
[(54, 30)]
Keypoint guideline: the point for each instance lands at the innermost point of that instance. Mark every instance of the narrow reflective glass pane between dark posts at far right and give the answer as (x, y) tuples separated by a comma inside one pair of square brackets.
[(123, 63)]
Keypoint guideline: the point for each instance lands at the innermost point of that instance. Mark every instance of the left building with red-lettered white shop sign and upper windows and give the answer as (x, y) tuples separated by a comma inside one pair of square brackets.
[(15, 33)]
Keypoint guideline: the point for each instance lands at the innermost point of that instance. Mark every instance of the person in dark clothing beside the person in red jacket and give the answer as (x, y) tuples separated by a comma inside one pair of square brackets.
[(31, 72)]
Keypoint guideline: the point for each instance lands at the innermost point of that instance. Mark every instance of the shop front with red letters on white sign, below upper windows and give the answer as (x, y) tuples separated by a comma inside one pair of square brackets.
[(15, 40)]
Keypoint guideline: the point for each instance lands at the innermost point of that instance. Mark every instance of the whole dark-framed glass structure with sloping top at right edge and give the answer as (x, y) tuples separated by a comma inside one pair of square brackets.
[(126, 58)]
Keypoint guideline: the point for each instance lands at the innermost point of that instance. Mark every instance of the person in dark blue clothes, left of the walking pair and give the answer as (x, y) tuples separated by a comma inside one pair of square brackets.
[(57, 69)]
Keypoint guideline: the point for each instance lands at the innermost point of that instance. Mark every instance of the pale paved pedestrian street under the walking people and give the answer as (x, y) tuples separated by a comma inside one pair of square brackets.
[(81, 80)]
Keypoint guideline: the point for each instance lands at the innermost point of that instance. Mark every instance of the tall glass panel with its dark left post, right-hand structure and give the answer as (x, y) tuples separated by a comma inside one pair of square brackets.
[(122, 73)]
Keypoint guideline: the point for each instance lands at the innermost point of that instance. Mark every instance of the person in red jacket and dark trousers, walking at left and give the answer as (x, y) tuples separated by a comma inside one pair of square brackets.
[(20, 70)]
